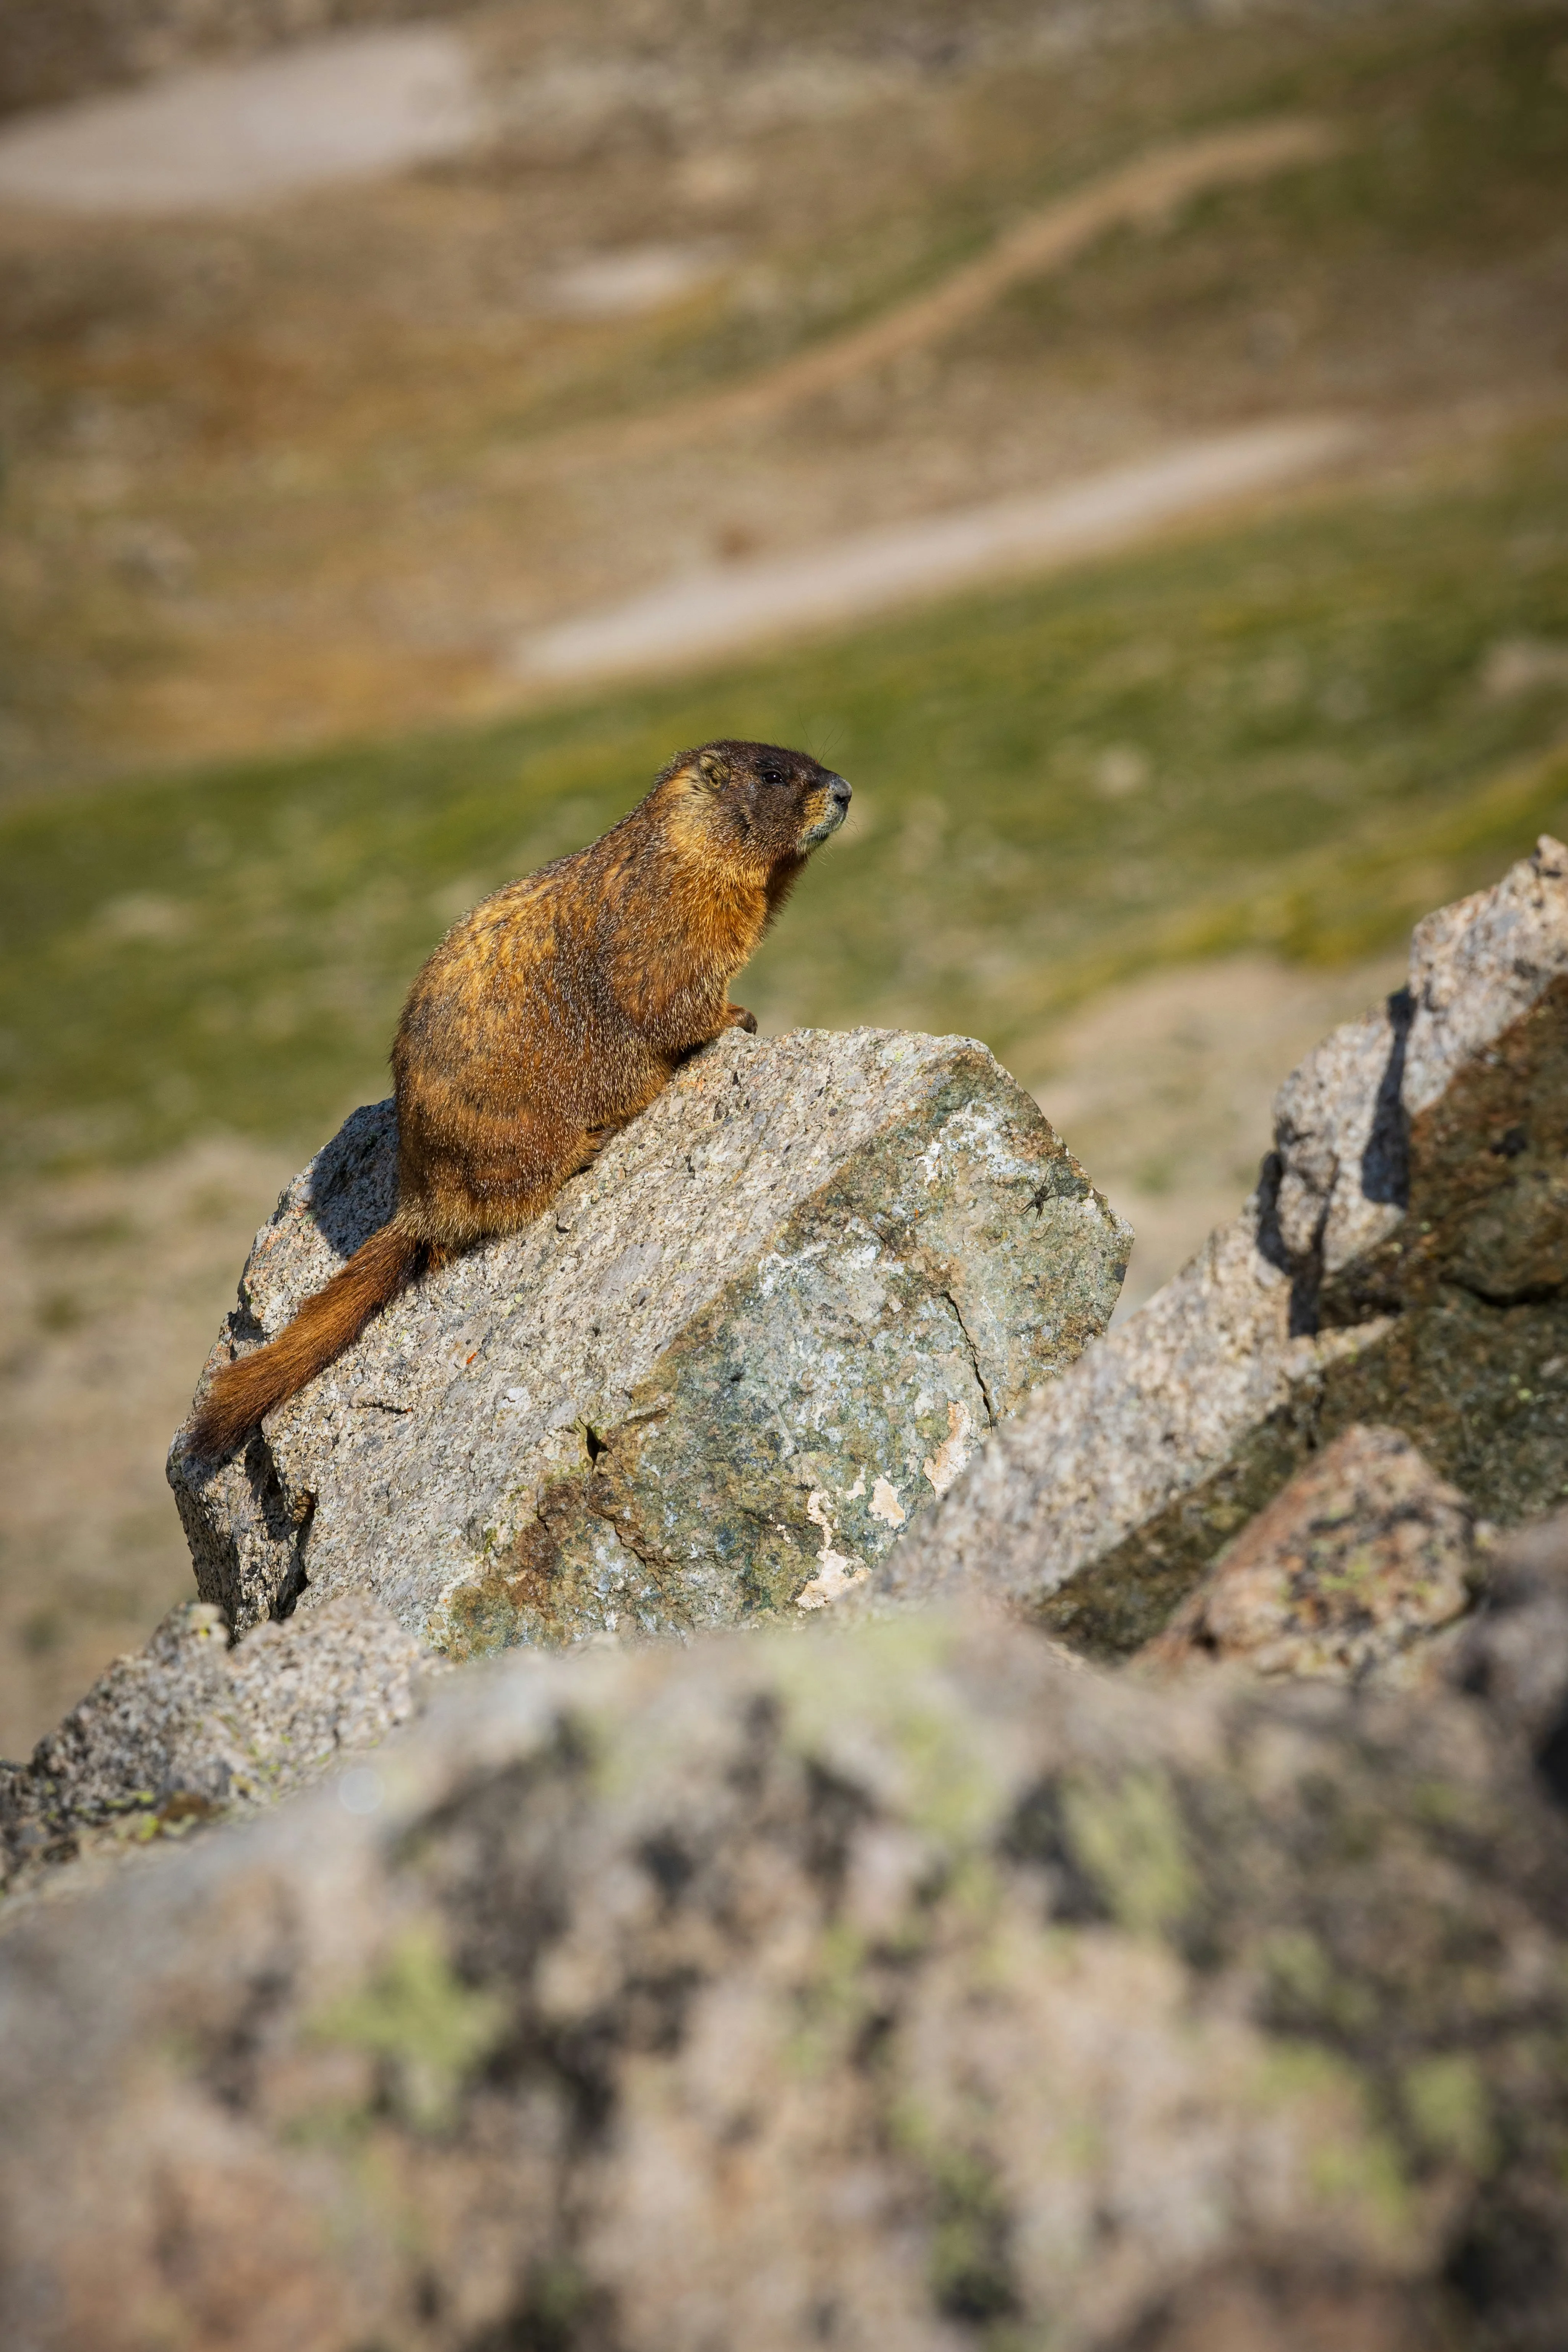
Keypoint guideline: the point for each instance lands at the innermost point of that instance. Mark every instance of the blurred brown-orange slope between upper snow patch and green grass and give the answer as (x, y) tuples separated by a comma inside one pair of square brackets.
[(326, 469)]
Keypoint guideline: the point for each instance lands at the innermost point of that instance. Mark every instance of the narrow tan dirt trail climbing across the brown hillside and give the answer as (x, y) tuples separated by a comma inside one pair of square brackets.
[(1132, 196)]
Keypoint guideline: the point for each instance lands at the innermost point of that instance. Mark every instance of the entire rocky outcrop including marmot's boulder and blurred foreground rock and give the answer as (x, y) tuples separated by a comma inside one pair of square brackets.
[(878, 1972)]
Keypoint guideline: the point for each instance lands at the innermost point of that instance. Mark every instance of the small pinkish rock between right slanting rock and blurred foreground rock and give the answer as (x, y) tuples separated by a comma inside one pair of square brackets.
[(1355, 1565)]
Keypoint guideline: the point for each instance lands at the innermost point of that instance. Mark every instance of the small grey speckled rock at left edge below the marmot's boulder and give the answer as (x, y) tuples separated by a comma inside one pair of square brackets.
[(189, 1728)]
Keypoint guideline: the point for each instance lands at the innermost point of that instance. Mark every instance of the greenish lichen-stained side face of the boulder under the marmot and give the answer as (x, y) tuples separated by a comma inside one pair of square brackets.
[(829, 1396)]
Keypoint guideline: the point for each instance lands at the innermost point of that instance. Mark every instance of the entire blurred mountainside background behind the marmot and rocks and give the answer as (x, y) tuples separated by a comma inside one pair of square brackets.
[(417, 425)]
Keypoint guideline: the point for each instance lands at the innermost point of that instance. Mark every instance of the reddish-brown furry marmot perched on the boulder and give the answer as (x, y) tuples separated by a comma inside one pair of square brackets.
[(549, 1020)]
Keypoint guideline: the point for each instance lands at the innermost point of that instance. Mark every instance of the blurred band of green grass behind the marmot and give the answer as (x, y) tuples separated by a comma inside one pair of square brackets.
[(1268, 737)]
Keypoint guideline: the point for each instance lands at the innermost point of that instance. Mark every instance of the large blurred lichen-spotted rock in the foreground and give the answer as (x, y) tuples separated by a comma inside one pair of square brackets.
[(885, 1989)]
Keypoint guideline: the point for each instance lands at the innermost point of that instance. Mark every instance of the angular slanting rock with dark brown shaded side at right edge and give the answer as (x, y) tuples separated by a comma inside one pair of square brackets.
[(1405, 1262)]
